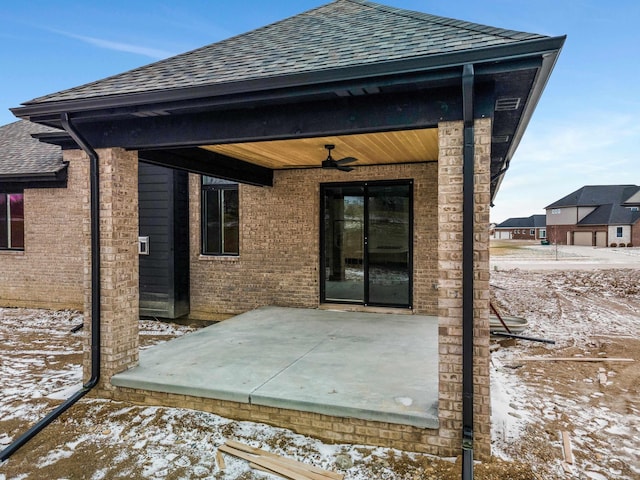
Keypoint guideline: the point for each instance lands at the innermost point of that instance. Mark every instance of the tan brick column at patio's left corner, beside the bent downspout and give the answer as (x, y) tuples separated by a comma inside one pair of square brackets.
[(118, 264)]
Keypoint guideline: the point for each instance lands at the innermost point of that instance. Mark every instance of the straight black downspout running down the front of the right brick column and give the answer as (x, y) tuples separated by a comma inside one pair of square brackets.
[(468, 222)]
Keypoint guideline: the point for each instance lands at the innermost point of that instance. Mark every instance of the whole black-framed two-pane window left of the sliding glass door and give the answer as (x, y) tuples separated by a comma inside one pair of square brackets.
[(220, 220)]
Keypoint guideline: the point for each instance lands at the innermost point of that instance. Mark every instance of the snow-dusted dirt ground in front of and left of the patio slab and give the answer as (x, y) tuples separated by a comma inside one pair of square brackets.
[(40, 365)]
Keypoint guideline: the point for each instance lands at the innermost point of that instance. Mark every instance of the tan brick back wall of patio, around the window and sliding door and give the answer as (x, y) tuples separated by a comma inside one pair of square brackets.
[(279, 242)]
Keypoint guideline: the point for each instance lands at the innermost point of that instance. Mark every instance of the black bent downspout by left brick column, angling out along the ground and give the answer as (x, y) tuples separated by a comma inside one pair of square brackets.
[(95, 300)]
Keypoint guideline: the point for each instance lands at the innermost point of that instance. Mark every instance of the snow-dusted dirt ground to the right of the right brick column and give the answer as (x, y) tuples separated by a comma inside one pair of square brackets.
[(589, 313)]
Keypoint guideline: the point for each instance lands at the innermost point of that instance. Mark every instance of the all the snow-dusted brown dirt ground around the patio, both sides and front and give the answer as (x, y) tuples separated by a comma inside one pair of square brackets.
[(590, 314)]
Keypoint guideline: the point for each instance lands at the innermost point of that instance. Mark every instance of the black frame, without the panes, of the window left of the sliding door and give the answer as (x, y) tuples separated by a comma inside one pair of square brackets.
[(219, 187)]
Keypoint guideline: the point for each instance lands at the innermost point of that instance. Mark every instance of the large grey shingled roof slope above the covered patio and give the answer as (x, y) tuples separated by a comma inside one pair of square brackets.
[(343, 33)]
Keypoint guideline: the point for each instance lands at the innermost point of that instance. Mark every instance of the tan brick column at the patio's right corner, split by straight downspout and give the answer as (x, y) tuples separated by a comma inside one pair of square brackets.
[(450, 224)]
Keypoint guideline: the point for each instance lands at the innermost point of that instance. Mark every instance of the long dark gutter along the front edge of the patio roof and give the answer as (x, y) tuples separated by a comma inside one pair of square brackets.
[(430, 66)]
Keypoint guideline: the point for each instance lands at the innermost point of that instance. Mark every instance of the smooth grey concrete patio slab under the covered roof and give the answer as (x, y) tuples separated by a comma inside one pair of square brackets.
[(379, 367)]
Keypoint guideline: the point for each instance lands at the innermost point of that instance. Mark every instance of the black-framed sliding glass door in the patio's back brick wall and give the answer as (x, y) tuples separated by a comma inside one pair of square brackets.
[(366, 243)]
